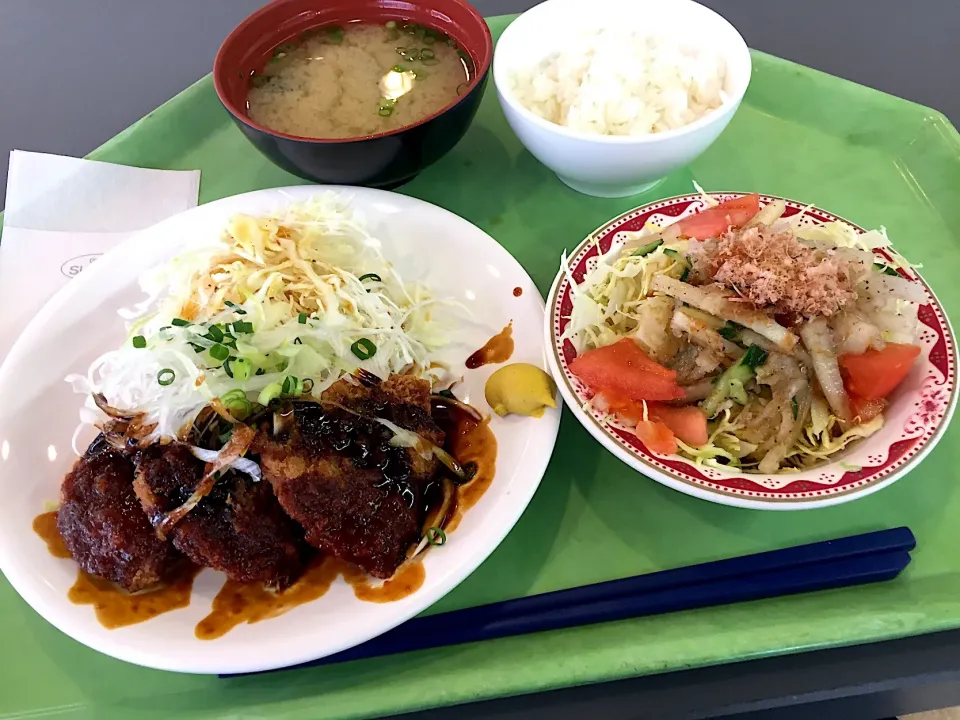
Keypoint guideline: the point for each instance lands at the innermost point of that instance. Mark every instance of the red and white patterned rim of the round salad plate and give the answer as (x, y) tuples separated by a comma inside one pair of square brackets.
[(920, 410)]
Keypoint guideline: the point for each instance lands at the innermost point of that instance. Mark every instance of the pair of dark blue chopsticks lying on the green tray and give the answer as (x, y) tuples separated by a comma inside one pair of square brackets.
[(854, 560)]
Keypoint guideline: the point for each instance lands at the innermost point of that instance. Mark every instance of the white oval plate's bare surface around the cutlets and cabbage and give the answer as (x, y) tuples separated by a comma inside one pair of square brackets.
[(39, 414)]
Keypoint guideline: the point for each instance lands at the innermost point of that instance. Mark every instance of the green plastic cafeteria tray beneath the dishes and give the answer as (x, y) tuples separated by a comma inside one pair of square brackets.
[(872, 158)]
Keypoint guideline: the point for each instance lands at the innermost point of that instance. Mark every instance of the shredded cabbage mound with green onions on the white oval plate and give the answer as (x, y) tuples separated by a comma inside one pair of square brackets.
[(277, 300)]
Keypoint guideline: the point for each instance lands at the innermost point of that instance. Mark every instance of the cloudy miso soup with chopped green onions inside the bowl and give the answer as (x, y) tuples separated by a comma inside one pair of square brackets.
[(359, 79)]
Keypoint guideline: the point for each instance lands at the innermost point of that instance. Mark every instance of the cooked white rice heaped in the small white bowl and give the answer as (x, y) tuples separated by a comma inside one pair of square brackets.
[(615, 82)]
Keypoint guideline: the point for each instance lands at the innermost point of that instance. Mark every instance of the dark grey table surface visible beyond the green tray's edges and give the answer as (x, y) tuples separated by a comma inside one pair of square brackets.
[(74, 73)]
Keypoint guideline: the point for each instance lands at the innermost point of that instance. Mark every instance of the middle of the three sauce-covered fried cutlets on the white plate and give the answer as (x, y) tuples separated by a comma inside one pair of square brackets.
[(239, 528)]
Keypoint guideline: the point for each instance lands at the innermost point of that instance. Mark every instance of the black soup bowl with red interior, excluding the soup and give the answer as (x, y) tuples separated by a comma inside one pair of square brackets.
[(384, 160)]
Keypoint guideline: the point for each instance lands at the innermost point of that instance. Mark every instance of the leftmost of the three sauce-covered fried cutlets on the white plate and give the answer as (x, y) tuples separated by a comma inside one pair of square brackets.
[(104, 528)]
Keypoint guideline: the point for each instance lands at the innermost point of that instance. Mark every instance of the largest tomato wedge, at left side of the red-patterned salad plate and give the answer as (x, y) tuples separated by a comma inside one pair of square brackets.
[(623, 370)]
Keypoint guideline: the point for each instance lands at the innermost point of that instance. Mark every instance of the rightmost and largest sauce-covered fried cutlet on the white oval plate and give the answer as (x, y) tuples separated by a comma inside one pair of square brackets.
[(356, 496)]
